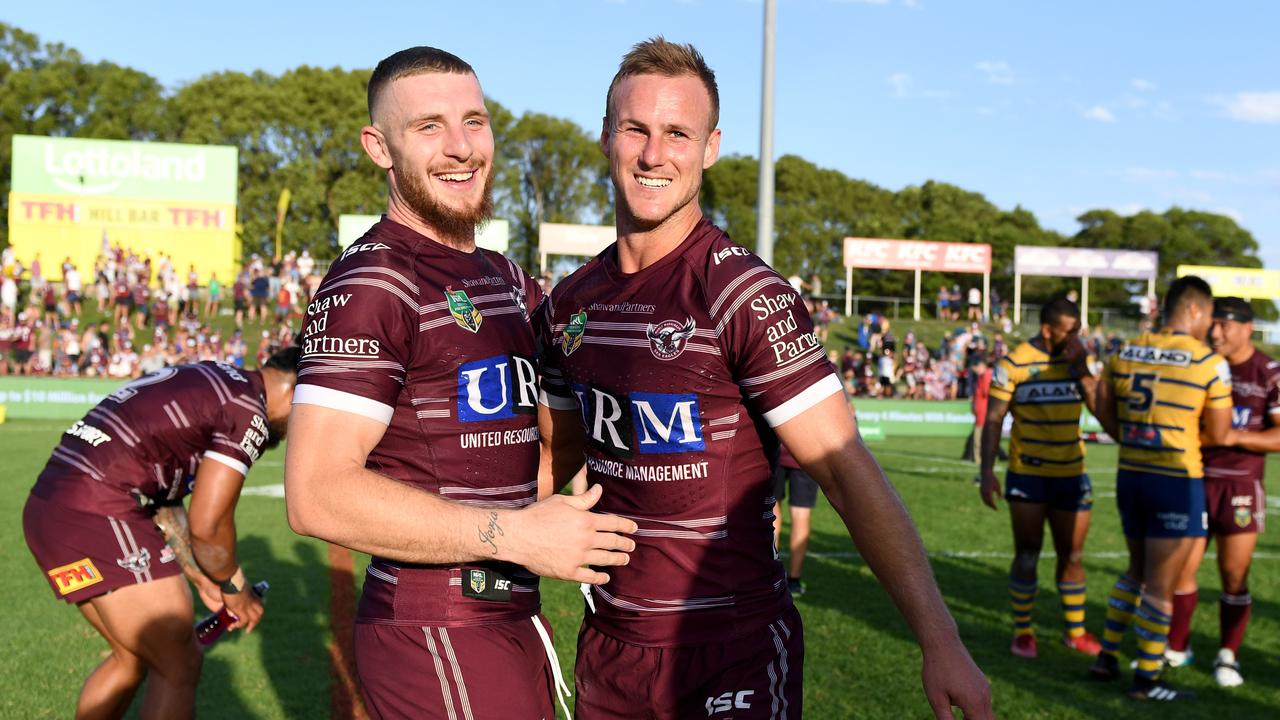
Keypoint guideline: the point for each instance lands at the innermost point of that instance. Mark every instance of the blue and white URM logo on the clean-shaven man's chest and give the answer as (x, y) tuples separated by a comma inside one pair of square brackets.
[(646, 422)]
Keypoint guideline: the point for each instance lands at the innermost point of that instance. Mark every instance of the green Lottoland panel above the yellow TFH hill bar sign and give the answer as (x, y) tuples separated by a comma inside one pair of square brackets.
[(116, 168)]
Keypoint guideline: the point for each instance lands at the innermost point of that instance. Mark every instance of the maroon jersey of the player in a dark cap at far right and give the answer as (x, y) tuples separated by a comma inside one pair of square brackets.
[(1256, 407)]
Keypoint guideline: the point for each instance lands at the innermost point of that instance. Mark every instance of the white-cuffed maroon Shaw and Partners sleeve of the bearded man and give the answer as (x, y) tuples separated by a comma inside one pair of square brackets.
[(359, 332)]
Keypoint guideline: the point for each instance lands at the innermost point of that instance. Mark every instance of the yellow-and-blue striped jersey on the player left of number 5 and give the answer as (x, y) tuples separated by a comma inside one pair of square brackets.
[(1046, 404)]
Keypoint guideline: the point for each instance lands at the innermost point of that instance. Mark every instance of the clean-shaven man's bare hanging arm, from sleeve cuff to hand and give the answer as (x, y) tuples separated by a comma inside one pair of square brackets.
[(825, 443)]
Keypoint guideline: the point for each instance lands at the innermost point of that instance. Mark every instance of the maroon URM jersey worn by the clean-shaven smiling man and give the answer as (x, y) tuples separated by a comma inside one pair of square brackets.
[(680, 372)]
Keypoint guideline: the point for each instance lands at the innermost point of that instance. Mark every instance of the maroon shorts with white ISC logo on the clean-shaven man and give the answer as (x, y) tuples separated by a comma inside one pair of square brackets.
[(757, 676)]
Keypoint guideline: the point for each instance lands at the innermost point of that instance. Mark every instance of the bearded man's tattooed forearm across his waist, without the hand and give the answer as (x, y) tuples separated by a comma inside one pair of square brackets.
[(371, 513)]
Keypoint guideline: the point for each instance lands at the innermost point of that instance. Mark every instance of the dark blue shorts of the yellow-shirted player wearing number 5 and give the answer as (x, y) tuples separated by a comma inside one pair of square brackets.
[(1162, 507)]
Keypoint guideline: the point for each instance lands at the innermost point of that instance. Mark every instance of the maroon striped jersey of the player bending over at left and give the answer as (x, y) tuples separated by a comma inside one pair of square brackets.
[(149, 438)]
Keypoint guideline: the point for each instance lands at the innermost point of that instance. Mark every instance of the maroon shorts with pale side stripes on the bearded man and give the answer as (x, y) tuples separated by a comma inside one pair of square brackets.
[(470, 673)]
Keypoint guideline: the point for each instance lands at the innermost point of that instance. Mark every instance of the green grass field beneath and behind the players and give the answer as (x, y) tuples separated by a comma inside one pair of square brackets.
[(861, 659)]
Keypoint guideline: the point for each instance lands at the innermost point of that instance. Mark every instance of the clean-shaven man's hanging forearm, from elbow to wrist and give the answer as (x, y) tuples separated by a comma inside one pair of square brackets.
[(888, 540)]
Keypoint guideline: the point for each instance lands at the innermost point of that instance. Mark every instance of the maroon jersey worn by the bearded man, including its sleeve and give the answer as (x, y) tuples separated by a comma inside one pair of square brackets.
[(437, 345)]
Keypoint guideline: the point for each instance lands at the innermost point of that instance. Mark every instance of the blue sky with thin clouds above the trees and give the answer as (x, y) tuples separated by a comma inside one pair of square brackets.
[(1057, 107)]
